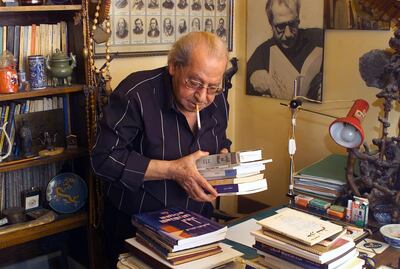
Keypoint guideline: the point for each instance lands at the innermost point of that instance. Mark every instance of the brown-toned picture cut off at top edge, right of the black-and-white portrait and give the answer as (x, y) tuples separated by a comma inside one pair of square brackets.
[(355, 15)]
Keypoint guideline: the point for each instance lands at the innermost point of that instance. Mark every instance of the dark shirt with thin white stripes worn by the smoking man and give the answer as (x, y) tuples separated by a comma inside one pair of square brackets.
[(142, 122)]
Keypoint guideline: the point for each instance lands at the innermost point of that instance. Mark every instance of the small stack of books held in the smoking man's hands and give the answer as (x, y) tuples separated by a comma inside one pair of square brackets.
[(235, 173)]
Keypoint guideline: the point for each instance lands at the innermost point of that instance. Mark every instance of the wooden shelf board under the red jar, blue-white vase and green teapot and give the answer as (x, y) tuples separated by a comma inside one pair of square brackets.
[(38, 93)]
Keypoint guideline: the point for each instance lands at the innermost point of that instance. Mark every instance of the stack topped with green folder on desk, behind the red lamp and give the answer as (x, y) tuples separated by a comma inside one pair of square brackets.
[(325, 179)]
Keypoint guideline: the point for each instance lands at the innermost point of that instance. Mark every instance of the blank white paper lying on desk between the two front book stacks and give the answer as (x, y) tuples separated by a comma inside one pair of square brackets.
[(241, 232)]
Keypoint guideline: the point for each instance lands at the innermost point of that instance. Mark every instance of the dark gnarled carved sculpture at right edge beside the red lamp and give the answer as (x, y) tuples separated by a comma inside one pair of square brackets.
[(379, 178)]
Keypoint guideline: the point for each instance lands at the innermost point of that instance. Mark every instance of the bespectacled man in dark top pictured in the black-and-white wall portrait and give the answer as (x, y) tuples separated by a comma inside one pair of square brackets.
[(298, 51)]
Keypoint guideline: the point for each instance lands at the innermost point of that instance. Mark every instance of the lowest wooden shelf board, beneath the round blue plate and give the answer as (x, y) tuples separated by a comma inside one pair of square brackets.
[(64, 223)]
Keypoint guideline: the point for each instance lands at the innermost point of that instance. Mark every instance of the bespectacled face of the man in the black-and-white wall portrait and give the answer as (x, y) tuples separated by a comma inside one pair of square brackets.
[(285, 25)]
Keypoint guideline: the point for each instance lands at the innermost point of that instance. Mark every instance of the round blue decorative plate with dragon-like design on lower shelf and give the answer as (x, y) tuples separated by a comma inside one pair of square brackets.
[(66, 193)]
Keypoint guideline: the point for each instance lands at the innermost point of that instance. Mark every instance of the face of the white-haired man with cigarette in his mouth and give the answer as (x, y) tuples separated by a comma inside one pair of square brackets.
[(203, 68)]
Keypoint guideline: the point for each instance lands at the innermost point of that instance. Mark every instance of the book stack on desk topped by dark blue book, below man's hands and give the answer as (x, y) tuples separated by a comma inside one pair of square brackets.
[(175, 235)]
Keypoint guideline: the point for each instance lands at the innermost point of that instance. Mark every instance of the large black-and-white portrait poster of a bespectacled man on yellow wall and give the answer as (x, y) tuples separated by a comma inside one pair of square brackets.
[(285, 41)]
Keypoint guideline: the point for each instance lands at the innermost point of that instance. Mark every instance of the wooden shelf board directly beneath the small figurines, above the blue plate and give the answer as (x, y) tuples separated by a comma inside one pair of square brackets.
[(68, 154)]
